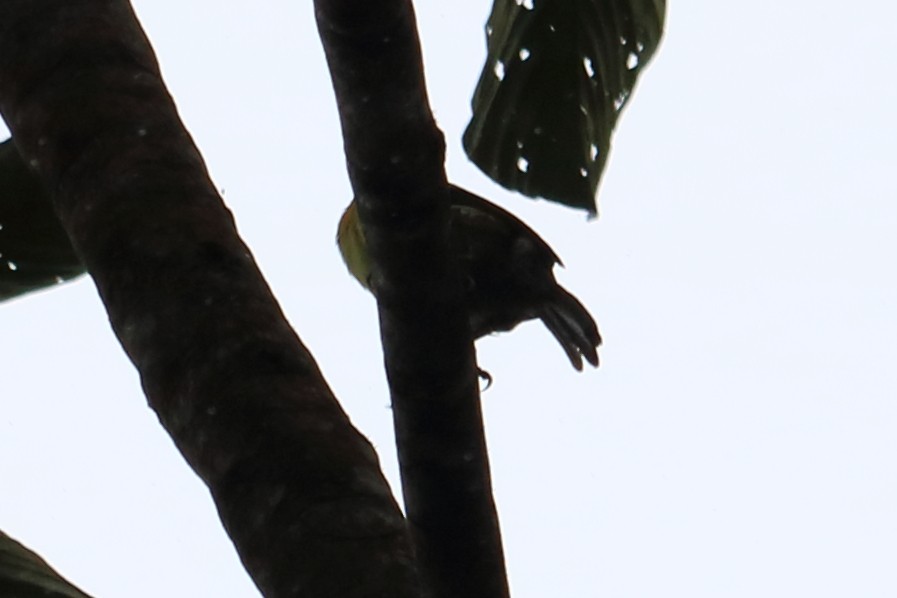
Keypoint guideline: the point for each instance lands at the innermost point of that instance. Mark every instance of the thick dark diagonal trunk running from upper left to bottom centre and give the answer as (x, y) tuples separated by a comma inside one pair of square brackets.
[(297, 487)]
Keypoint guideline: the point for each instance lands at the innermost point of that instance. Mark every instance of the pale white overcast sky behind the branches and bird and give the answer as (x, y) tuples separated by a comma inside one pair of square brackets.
[(739, 438)]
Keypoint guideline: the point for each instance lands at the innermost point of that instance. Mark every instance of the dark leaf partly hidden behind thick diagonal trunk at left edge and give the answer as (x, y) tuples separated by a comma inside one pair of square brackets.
[(35, 251)]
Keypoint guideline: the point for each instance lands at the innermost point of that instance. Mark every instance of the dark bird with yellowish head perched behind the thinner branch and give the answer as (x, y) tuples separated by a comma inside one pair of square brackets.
[(508, 270)]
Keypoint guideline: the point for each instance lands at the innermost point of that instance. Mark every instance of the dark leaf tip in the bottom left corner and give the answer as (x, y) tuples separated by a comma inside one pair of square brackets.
[(23, 574)]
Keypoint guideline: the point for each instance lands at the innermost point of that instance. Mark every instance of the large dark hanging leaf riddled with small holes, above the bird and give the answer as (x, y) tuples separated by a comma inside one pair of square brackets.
[(557, 75)]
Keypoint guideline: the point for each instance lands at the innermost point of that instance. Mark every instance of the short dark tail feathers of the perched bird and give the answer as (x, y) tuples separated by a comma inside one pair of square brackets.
[(573, 327)]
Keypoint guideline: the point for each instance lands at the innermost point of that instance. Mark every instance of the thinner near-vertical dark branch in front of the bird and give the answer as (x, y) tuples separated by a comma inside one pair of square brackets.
[(395, 156)]
